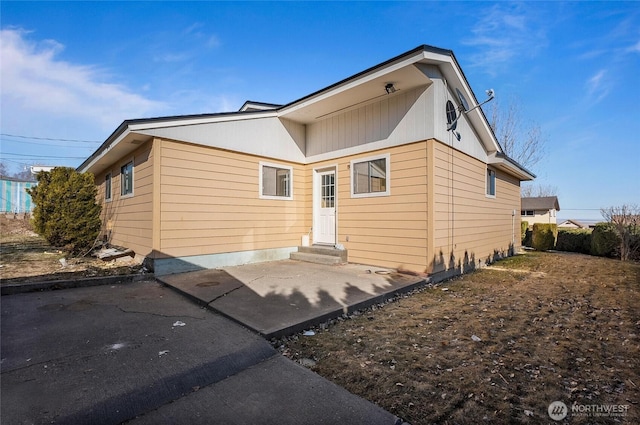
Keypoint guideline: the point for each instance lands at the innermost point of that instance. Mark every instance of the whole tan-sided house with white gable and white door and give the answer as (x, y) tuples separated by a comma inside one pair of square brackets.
[(367, 164)]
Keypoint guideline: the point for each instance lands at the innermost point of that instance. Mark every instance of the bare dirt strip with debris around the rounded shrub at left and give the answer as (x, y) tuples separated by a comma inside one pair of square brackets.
[(26, 257)]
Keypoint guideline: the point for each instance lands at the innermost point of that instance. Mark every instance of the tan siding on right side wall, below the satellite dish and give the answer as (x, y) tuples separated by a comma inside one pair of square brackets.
[(468, 224)]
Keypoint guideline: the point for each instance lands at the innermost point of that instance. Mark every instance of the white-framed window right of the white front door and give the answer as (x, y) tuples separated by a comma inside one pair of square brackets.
[(370, 176)]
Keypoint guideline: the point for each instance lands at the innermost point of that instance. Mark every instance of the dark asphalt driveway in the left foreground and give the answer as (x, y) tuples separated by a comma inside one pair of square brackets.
[(141, 353)]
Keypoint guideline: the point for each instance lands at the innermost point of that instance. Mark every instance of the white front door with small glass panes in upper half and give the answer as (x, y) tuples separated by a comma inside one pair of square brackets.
[(324, 229)]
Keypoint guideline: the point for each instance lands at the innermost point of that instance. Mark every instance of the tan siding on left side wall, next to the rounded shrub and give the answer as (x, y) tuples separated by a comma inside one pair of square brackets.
[(128, 220)]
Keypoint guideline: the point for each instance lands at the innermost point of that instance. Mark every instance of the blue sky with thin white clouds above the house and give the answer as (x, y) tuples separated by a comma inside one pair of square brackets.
[(76, 70)]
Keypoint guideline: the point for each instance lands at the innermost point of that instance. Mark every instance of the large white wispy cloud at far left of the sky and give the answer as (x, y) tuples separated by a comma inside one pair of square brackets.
[(36, 83)]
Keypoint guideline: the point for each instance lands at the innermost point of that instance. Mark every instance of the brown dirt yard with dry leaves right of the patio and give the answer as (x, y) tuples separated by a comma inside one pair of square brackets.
[(497, 346)]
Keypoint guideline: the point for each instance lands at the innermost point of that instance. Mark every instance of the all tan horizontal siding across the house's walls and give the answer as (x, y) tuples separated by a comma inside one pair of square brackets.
[(207, 201)]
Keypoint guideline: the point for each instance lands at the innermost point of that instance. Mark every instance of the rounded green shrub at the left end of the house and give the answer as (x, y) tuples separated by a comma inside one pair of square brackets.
[(66, 213)]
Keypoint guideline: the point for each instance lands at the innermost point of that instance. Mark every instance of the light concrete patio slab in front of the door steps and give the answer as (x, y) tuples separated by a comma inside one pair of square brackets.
[(281, 298)]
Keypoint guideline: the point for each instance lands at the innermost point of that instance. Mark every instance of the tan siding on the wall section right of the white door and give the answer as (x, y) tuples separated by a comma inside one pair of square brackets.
[(387, 231)]
